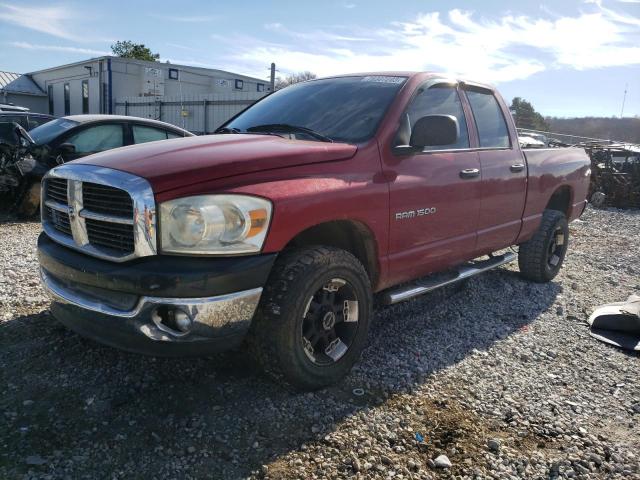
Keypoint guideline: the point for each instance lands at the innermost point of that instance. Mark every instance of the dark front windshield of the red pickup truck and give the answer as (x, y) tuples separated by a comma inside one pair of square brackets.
[(346, 109)]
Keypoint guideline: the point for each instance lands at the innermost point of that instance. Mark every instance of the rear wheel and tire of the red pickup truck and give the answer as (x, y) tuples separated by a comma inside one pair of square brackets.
[(541, 257)]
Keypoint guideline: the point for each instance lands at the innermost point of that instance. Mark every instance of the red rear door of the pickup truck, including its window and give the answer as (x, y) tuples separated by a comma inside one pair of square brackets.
[(504, 173)]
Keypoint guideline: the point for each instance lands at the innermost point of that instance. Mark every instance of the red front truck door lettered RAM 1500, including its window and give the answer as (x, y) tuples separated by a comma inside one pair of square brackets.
[(434, 197)]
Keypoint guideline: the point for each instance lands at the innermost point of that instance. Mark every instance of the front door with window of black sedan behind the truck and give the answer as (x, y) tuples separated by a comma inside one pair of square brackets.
[(92, 139)]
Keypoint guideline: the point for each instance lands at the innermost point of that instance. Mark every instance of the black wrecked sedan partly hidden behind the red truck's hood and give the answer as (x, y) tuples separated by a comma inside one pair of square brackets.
[(26, 157)]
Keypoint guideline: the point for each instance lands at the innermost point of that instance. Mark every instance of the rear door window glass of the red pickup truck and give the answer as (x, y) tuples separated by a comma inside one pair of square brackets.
[(492, 127)]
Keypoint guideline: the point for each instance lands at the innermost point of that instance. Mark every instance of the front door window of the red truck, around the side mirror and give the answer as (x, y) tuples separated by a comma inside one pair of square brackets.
[(437, 100)]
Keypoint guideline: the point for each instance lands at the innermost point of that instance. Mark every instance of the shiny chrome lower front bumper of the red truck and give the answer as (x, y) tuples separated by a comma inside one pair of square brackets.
[(211, 317)]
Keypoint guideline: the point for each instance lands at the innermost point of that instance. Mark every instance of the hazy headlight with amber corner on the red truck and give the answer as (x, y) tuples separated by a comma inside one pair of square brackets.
[(214, 224)]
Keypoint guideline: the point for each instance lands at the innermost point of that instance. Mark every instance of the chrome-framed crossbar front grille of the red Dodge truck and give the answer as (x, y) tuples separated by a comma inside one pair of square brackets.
[(89, 209)]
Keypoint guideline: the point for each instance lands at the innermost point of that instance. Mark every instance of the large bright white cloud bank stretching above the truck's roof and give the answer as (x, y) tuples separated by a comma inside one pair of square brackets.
[(496, 49)]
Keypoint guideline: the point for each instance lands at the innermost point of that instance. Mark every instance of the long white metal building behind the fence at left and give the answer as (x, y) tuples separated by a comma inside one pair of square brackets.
[(95, 85)]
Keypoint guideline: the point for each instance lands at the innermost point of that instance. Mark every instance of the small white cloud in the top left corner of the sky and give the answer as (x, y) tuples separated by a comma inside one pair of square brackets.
[(50, 20)]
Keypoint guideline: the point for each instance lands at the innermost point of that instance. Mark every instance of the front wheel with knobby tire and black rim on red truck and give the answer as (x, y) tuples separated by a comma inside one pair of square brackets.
[(313, 318)]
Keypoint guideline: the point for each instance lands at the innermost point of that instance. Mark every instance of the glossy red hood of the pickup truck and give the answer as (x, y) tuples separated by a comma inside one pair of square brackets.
[(170, 164)]
